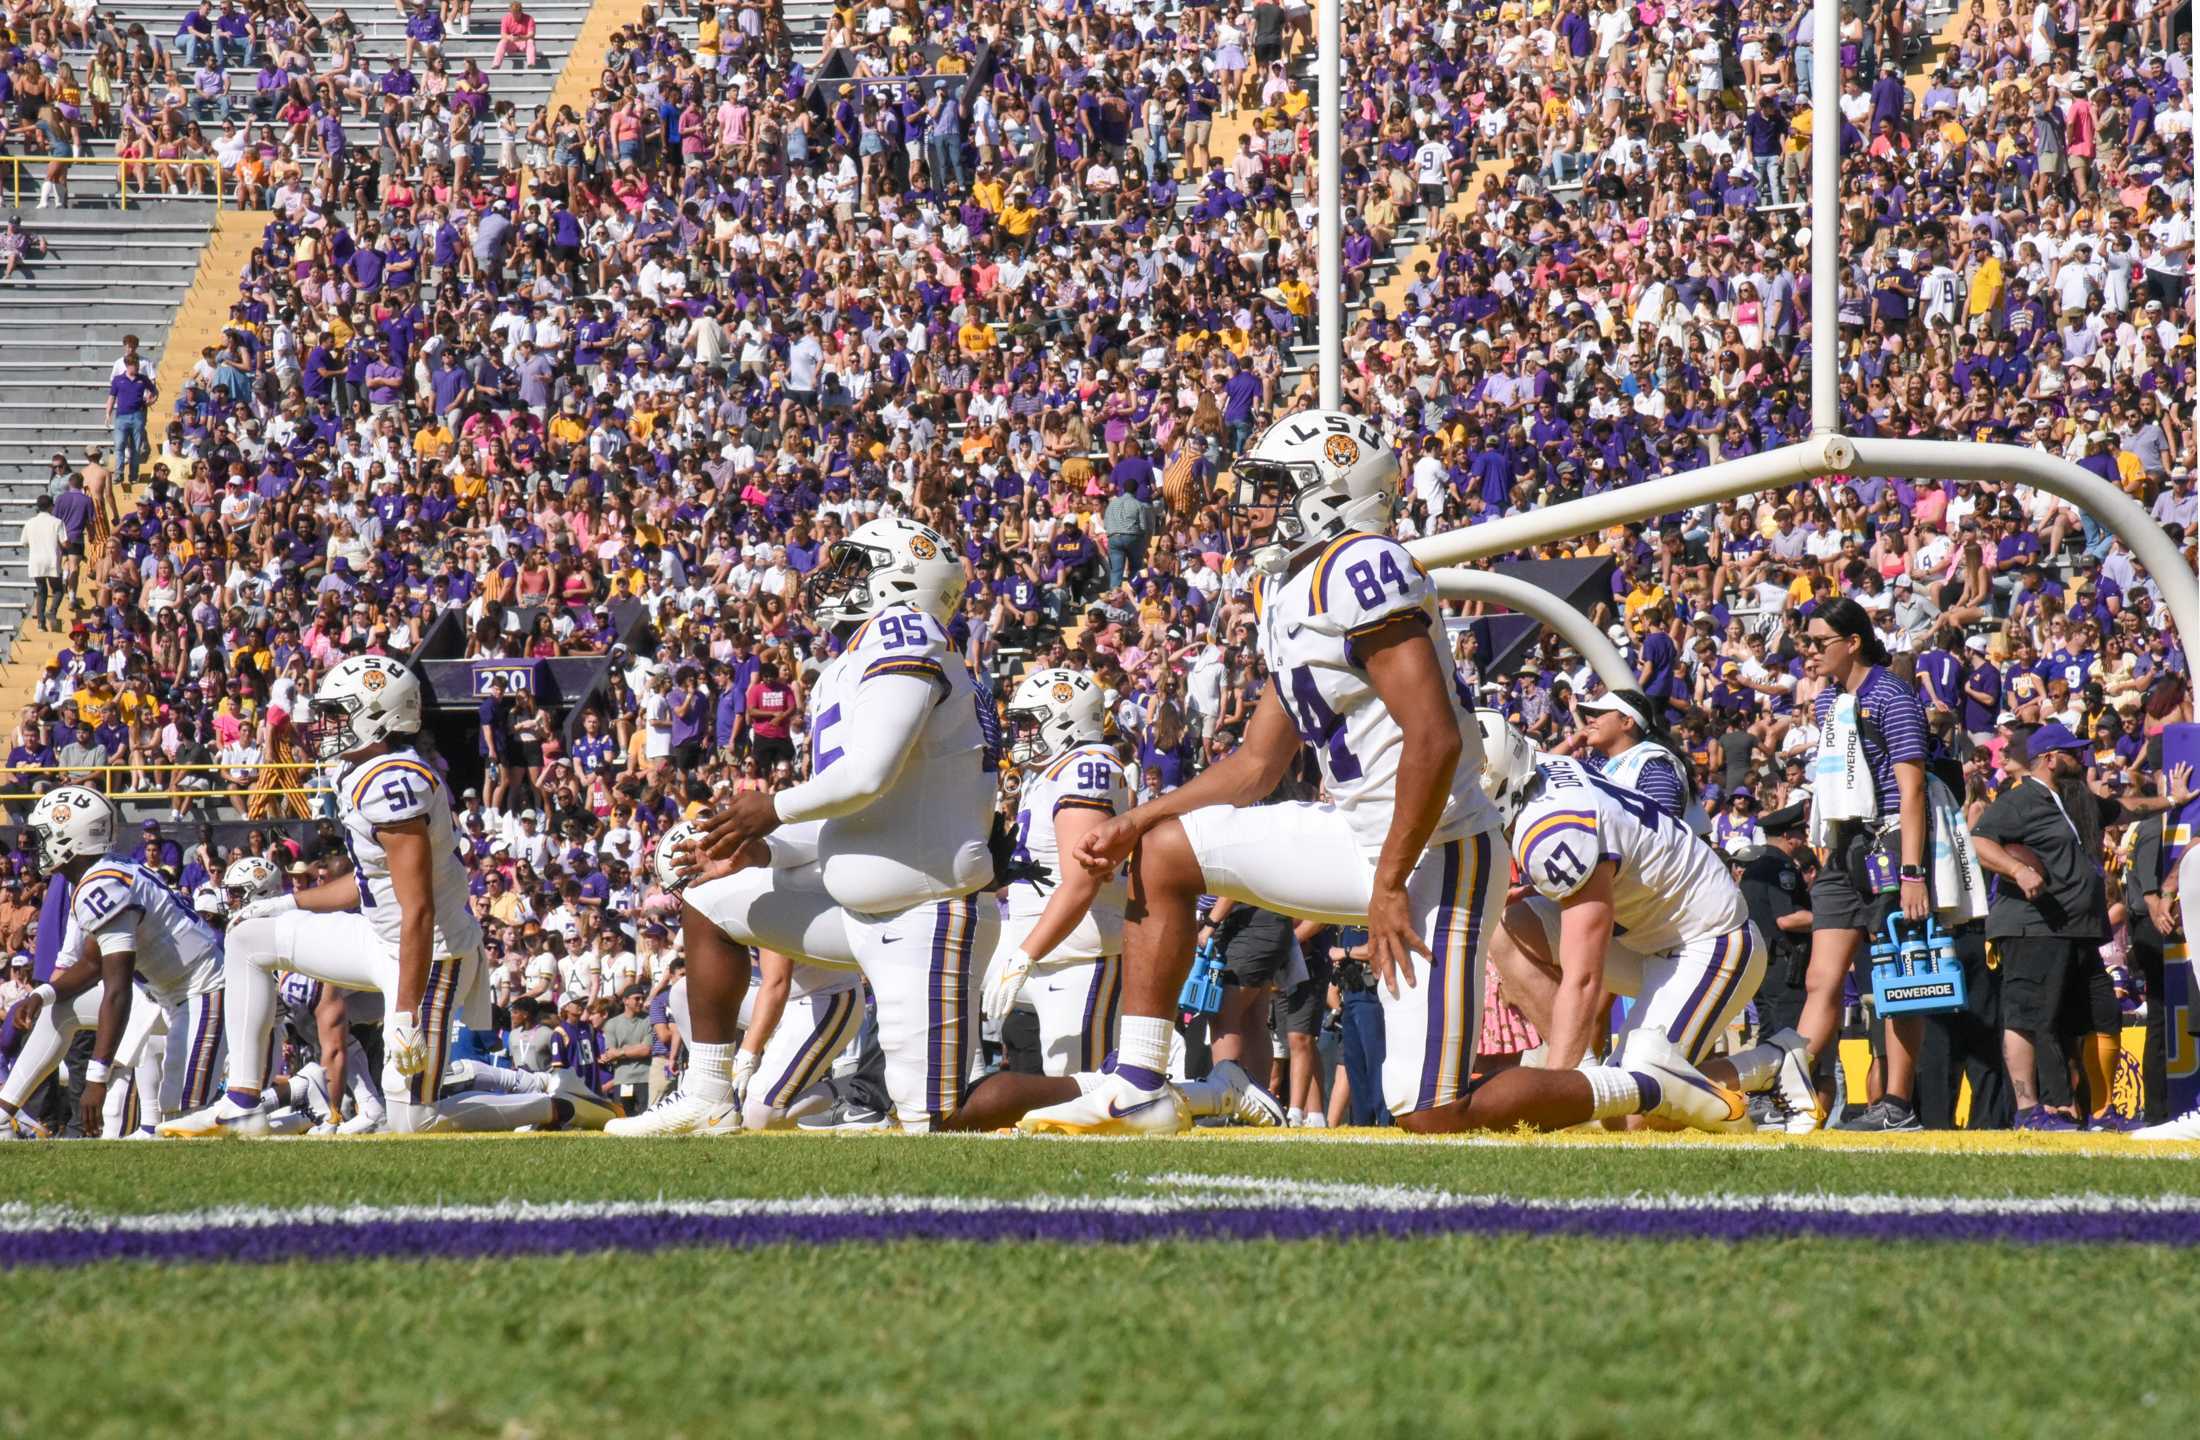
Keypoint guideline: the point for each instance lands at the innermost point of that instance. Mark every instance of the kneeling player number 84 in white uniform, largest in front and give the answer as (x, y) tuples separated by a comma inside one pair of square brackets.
[(1407, 845)]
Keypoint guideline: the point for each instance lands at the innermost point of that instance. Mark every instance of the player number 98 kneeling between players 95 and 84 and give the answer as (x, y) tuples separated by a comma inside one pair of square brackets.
[(1061, 949)]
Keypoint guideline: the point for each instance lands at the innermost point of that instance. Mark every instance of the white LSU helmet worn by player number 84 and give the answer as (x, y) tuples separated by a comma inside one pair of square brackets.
[(1323, 474)]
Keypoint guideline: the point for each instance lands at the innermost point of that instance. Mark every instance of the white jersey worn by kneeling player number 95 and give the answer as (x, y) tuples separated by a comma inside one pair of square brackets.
[(925, 837)]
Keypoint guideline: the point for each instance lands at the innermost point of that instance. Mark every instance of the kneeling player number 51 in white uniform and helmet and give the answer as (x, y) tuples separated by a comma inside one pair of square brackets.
[(397, 924)]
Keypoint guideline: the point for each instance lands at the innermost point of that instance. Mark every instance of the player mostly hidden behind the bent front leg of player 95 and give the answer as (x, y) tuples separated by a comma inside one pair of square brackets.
[(795, 1019)]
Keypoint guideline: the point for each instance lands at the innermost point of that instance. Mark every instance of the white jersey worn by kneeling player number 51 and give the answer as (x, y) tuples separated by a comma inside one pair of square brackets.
[(390, 790)]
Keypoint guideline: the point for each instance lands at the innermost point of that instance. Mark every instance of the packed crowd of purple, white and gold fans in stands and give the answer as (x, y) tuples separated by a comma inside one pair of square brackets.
[(672, 348)]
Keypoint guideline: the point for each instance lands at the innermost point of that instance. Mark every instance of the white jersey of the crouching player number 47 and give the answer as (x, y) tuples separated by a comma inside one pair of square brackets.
[(1671, 887)]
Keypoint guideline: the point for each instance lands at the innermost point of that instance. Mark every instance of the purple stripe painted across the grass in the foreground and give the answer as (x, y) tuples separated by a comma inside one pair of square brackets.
[(494, 1239)]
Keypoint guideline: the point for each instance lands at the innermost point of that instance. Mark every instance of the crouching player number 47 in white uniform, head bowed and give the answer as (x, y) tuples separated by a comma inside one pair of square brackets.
[(1611, 863)]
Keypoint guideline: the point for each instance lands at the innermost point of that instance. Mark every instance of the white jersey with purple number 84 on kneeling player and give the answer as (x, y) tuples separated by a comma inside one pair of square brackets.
[(1308, 630)]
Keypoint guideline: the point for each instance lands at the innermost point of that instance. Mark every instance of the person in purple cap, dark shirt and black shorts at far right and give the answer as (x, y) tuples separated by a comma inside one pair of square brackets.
[(2051, 913)]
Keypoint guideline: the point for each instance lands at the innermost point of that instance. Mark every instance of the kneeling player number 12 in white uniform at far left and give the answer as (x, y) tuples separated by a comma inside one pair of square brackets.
[(126, 929)]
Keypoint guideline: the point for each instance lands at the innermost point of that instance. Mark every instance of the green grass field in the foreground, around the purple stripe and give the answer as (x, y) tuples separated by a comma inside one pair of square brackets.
[(1510, 1333)]
